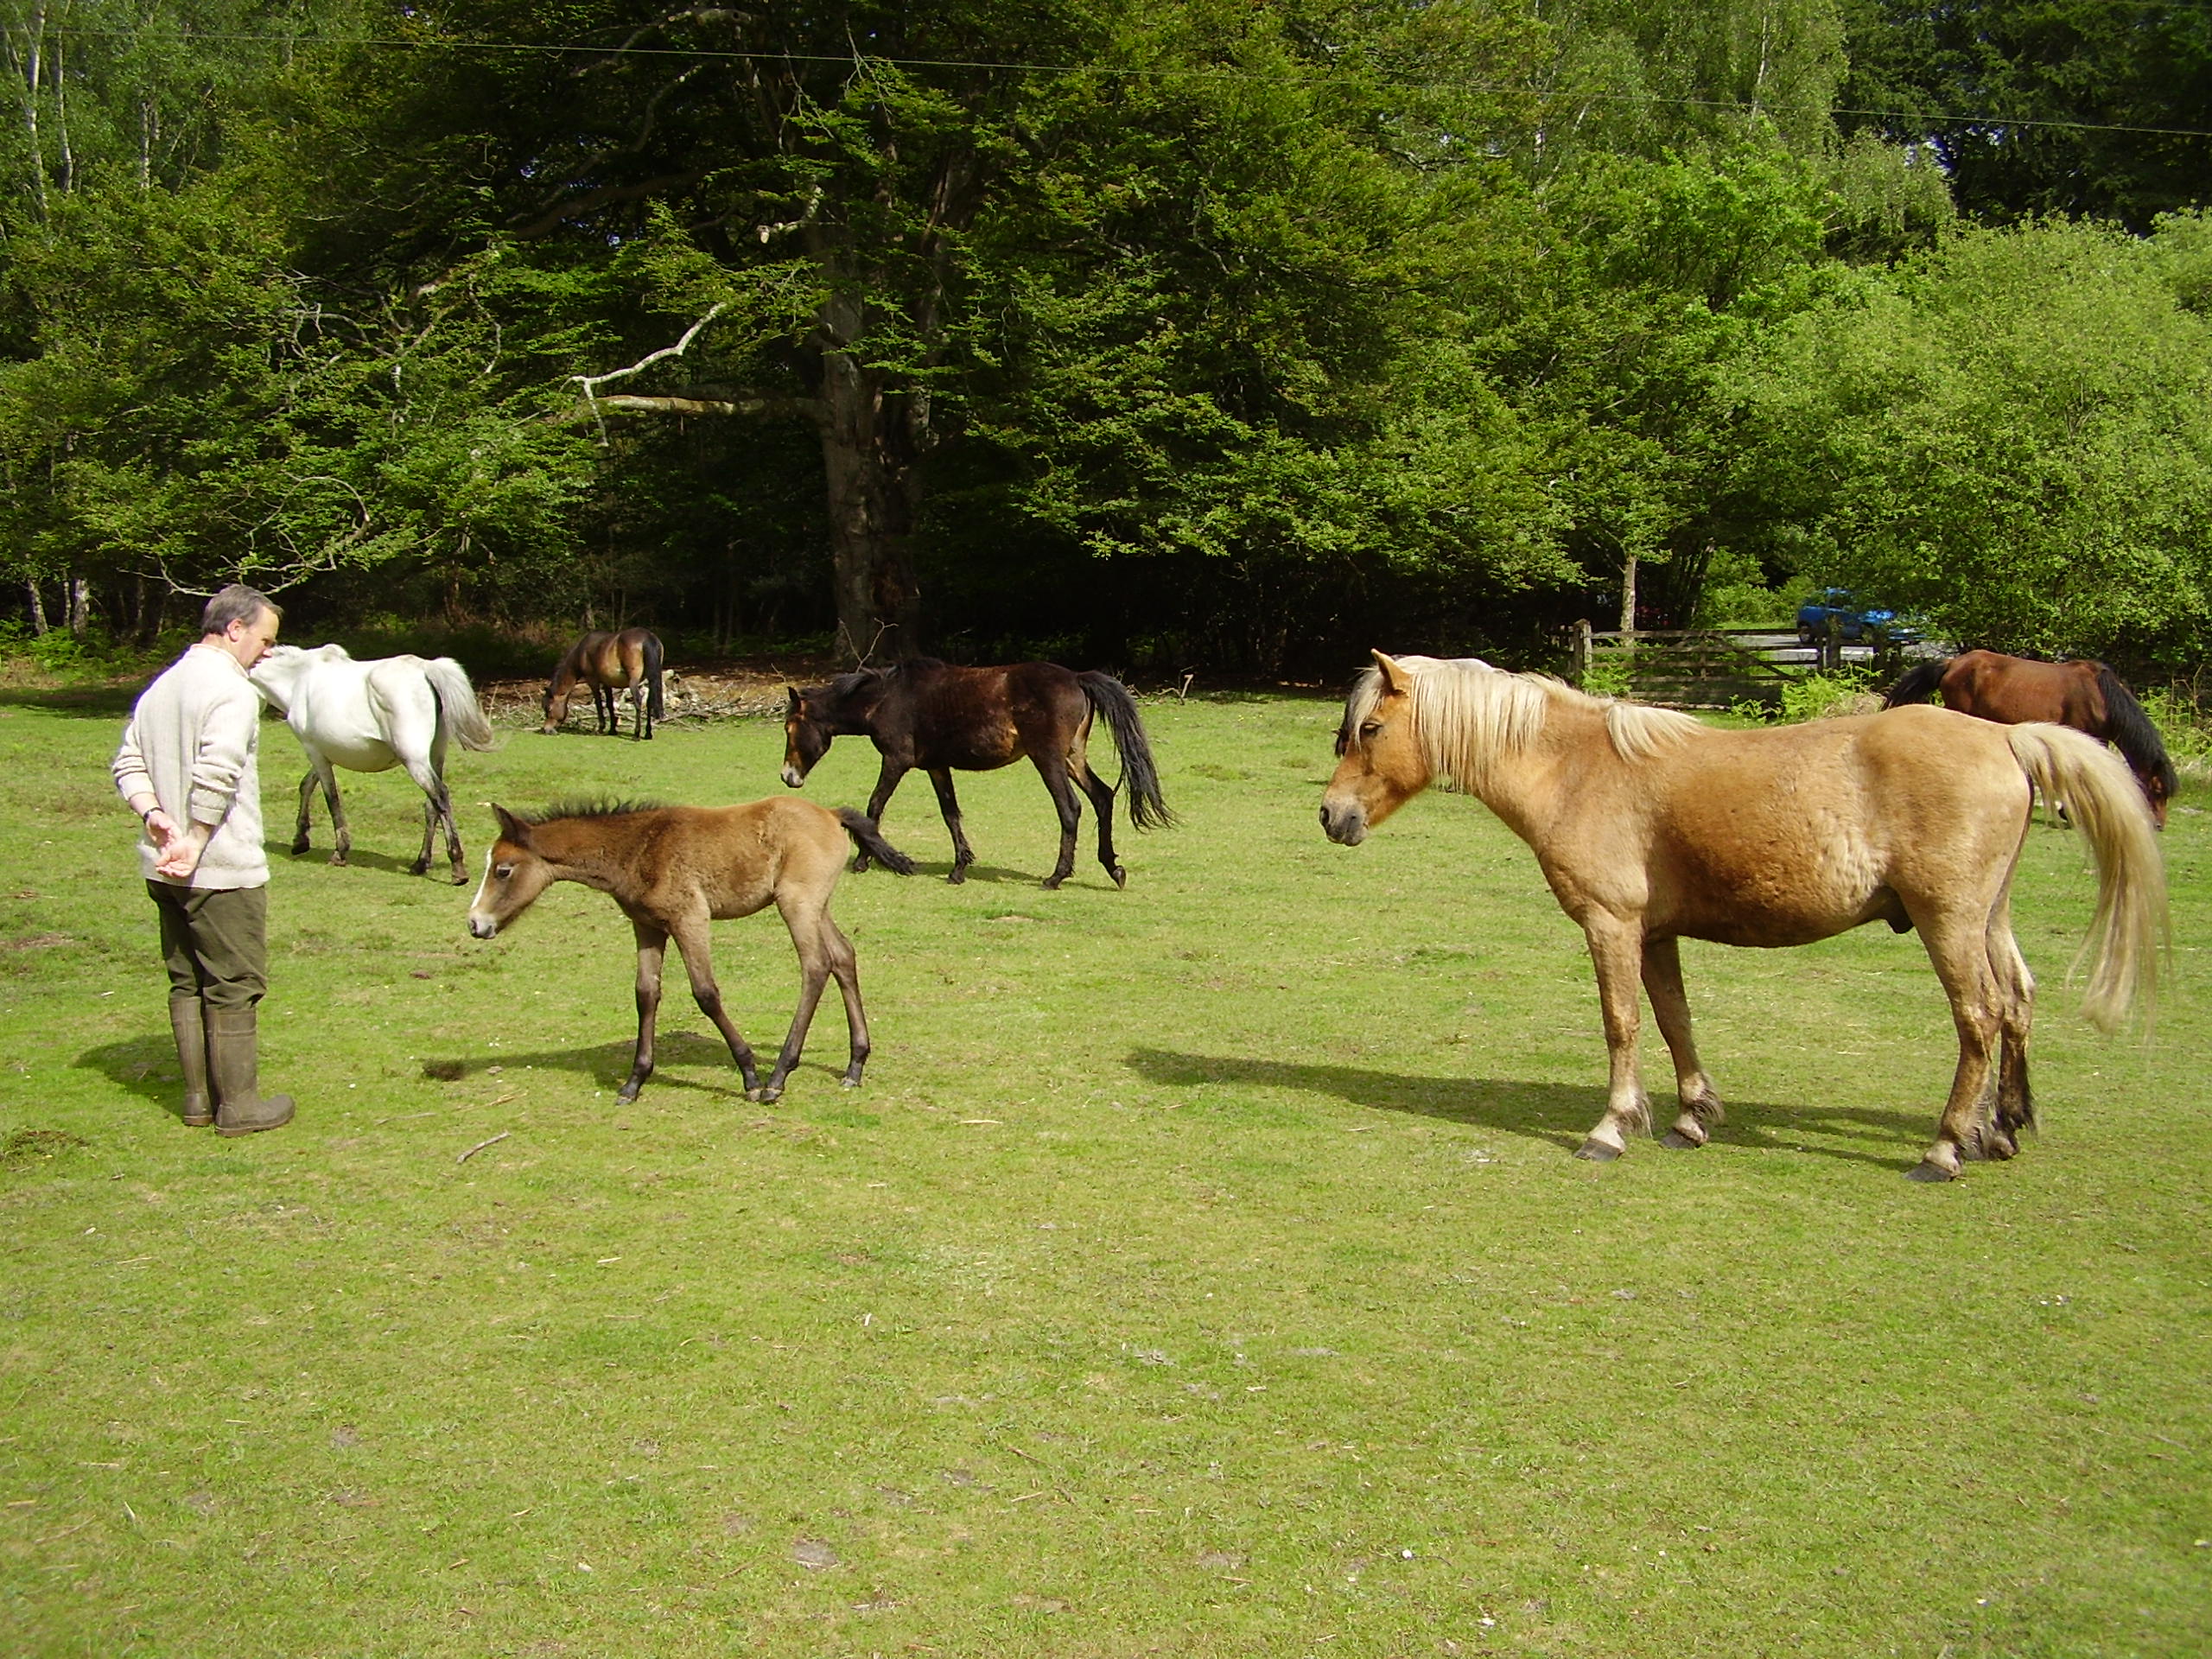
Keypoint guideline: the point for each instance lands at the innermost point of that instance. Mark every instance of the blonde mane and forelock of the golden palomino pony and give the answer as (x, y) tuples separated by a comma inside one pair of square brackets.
[(1470, 716)]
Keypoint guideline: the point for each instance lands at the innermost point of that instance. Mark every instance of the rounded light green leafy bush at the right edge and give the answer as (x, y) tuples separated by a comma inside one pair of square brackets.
[(2010, 437)]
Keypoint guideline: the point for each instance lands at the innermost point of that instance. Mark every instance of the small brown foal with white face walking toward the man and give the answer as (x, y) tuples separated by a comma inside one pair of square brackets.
[(674, 870)]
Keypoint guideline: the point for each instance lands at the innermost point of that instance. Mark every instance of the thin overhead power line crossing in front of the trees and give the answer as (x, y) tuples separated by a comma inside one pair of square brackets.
[(857, 59)]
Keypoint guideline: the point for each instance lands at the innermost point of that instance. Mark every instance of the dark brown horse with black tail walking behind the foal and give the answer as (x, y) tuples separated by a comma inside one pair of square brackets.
[(937, 718)]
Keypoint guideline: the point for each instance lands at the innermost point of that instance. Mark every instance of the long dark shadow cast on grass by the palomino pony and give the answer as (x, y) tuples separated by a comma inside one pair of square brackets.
[(1558, 1114)]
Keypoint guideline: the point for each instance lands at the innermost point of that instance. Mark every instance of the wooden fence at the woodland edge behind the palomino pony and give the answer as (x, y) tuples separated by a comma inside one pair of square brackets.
[(1715, 667)]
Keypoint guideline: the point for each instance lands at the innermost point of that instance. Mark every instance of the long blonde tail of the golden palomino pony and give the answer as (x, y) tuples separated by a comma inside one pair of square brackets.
[(2107, 804)]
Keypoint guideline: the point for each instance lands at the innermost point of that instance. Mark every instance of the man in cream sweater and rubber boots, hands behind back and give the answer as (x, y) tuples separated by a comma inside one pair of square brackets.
[(189, 769)]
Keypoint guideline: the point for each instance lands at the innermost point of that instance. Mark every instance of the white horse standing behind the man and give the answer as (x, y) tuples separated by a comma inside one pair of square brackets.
[(371, 718)]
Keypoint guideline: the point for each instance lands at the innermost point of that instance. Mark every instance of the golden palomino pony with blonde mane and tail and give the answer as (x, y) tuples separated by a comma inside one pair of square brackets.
[(1653, 828)]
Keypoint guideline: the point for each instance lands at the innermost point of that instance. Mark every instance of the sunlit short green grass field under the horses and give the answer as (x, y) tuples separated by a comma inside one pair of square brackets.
[(1202, 1269)]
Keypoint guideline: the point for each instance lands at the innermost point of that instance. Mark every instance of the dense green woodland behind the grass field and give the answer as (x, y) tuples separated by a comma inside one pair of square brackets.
[(1145, 333)]
